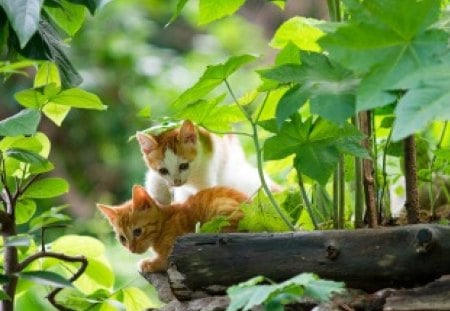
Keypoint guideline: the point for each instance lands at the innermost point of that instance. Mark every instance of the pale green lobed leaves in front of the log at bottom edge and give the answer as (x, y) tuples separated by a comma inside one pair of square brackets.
[(273, 297)]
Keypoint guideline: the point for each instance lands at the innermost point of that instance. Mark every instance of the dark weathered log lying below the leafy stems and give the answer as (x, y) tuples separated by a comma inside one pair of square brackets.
[(368, 259)]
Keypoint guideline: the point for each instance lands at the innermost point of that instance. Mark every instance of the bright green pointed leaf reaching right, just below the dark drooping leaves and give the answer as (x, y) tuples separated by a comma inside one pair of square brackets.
[(78, 98)]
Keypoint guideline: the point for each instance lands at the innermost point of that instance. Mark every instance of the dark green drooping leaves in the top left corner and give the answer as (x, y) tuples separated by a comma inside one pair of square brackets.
[(36, 30)]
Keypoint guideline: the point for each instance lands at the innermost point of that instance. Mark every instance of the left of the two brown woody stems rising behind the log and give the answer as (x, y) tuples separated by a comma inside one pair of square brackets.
[(368, 171)]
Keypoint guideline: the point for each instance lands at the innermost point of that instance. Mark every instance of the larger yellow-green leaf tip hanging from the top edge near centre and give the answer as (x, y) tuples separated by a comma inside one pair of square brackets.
[(211, 10)]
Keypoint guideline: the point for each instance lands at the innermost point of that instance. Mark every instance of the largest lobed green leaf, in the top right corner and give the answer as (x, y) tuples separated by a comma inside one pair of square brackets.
[(384, 47)]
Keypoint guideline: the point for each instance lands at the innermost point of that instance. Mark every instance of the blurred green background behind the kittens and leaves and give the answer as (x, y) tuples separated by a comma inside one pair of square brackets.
[(137, 66)]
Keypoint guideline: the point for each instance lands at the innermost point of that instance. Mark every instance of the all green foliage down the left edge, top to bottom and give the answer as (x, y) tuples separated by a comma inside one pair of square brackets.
[(31, 34)]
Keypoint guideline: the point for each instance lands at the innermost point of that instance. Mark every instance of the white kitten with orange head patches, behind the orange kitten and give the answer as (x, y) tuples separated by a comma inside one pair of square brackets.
[(188, 159)]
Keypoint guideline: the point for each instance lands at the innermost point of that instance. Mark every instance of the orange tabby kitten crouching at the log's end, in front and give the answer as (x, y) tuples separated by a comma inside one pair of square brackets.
[(142, 223)]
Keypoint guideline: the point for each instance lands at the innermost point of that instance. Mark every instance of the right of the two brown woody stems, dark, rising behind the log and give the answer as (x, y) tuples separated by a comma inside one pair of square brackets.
[(412, 192)]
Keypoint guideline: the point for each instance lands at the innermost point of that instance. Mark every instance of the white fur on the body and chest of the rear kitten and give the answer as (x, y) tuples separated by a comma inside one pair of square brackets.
[(225, 166)]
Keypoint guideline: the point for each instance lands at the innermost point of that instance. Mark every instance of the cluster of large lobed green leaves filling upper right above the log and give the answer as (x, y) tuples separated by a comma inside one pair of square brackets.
[(325, 73)]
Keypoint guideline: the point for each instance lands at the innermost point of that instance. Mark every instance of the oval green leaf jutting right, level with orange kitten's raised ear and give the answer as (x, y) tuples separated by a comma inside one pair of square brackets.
[(46, 188)]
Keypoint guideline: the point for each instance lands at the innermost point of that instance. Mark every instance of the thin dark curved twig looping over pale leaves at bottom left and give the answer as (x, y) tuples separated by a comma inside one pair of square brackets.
[(52, 295)]
